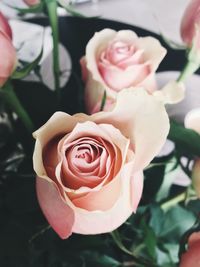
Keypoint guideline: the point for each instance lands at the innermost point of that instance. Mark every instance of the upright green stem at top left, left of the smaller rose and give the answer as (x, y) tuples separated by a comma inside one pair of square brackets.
[(53, 18)]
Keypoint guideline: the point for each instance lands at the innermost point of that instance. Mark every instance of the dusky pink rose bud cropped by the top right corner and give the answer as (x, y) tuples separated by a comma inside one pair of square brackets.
[(190, 22)]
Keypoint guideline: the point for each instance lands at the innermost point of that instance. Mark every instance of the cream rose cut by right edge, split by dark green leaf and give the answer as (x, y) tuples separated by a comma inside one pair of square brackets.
[(192, 121)]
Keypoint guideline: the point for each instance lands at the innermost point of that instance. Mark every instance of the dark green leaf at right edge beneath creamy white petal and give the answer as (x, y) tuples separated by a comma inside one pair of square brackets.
[(187, 141)]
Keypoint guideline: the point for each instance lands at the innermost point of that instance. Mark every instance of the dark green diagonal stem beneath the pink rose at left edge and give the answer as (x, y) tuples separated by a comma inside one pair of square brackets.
[(9, 96)]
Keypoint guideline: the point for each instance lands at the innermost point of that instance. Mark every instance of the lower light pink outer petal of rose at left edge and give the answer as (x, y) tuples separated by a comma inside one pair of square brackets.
[(8, 58)]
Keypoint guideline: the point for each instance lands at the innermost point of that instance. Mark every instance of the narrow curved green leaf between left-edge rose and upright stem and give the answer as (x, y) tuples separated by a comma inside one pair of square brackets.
[(23, 72)]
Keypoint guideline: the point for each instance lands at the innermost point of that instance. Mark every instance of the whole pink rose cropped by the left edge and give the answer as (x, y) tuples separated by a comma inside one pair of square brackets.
[(8, 56)]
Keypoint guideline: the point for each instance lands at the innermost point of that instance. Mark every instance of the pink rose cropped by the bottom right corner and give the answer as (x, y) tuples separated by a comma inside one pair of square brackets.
[(191, 258)]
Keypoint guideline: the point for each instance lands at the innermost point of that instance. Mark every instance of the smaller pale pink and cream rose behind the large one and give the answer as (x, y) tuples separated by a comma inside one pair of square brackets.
[(118, 60)]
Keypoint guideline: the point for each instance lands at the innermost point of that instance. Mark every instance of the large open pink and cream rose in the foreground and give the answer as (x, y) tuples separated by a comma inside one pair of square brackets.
[(89, 168)]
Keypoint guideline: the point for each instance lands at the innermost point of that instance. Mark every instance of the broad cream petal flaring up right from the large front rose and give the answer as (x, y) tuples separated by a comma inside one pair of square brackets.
[(135, 121)]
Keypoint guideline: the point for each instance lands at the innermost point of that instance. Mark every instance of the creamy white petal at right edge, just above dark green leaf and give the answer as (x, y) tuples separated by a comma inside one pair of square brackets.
[(192, 120)]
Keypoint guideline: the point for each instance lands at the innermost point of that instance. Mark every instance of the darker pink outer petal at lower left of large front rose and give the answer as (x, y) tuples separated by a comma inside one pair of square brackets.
[(59, 215)]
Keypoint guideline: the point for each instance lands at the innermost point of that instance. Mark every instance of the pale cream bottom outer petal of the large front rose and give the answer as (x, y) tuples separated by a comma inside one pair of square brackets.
[(97, 222)]
